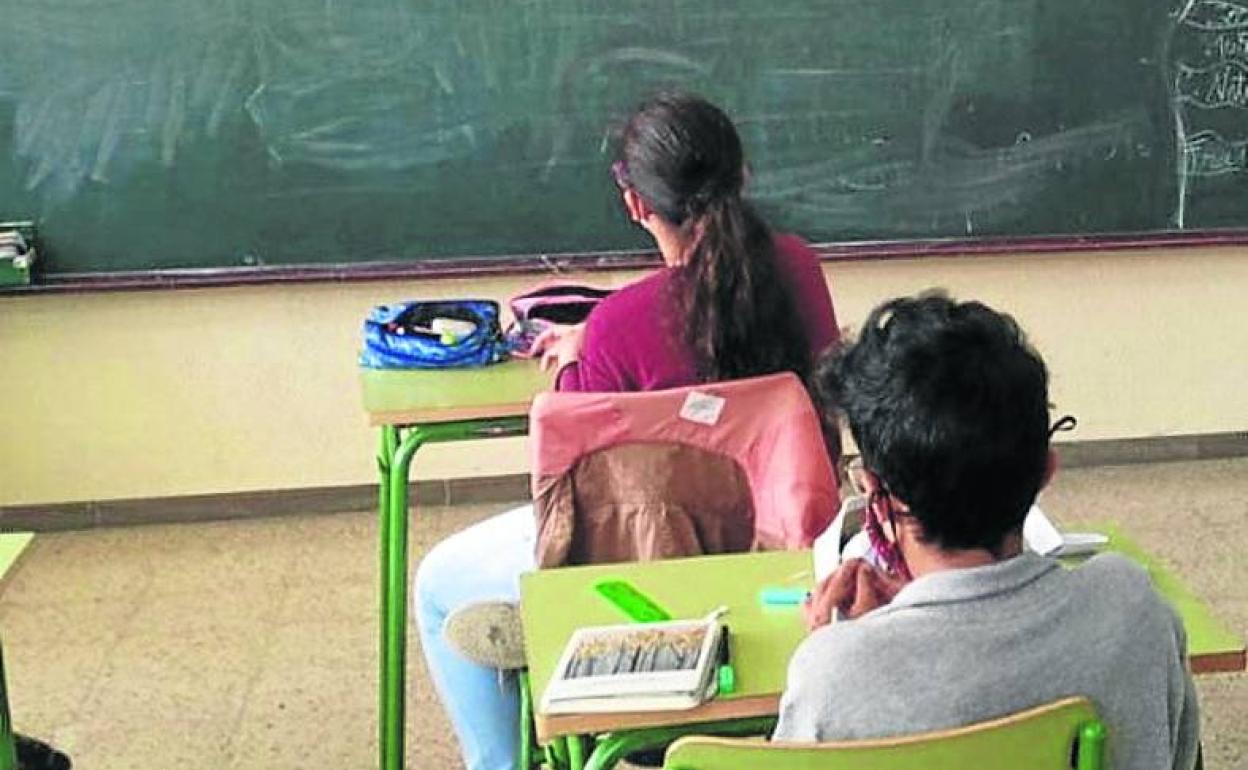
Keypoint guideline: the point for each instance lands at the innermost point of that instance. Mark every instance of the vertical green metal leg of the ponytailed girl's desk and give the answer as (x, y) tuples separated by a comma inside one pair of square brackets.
[(400, 450)]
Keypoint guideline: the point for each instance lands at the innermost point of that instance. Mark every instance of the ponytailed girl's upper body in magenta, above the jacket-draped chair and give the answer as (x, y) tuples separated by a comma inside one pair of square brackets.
[(734, 301)]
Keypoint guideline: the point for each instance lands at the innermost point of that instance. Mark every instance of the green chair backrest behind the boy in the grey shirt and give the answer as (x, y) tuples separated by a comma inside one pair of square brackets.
[(1061, 736)]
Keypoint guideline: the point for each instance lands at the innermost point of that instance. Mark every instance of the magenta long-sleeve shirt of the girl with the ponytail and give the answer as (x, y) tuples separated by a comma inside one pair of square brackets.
[(633, 343)]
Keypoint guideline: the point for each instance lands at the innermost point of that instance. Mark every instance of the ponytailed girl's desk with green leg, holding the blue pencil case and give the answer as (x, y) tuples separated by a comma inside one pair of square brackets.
[(415, 409)]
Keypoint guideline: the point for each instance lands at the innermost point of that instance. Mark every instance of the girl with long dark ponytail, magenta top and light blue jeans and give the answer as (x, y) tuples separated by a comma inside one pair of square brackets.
[(733, 301)]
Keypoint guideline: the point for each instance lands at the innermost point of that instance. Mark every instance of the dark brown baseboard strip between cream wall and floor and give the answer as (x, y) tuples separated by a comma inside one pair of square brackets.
[(499, 490)]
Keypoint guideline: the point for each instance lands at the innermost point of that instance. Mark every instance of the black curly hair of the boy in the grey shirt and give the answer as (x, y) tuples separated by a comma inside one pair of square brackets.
[(949, 405)]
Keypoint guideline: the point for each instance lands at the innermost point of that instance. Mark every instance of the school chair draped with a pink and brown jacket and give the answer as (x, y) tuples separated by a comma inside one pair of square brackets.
[(632, 477)]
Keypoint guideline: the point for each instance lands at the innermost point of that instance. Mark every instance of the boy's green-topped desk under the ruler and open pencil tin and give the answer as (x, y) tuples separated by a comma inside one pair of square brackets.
[(557, 602)]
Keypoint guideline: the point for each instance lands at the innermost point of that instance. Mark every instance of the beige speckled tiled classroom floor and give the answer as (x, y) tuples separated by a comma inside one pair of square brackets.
[(253, 645)]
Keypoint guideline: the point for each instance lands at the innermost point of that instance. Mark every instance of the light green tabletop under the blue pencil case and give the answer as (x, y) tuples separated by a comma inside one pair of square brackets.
[(407, 397)]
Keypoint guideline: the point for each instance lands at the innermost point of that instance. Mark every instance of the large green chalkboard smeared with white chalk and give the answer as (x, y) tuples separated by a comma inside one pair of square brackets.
[(165, 134)]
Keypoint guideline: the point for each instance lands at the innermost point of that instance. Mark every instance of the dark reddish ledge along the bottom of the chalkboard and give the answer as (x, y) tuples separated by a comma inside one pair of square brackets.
[(460, 268)]
